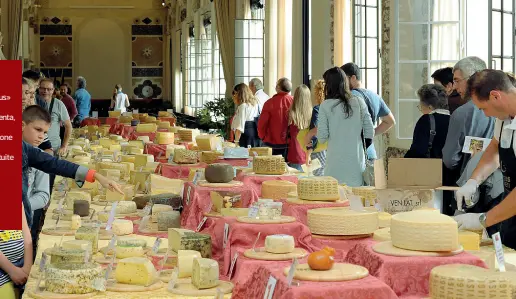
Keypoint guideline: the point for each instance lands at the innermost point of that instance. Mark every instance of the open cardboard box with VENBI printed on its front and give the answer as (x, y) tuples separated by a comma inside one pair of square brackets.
[(410, 184)]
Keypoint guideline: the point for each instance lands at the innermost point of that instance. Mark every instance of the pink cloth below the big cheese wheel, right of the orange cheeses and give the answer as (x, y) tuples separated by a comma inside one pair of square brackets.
[(405, 275)]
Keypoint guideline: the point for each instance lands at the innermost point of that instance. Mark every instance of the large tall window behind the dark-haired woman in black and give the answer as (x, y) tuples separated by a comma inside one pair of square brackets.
[(427, 37)]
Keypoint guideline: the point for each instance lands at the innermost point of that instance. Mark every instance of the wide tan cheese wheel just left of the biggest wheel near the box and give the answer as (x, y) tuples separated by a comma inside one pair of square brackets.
[(342, 221)]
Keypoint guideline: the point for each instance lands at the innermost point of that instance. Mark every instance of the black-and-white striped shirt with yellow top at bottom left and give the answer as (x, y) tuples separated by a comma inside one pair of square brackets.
[(12, 246)]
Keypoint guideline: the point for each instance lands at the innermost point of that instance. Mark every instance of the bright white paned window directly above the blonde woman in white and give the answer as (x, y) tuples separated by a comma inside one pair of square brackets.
[(249, 50)]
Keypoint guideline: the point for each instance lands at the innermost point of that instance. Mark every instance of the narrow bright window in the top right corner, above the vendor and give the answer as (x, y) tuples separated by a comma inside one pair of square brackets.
[(501, 46)]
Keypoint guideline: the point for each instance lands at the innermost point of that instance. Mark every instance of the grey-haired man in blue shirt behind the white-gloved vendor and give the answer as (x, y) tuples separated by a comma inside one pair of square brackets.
[(467, 120)]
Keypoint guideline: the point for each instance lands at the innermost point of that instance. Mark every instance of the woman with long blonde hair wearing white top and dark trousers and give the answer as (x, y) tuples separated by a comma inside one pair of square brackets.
[(244, 123)]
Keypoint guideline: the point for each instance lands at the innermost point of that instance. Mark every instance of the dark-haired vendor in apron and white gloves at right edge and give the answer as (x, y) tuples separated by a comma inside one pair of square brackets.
[(494, 93)]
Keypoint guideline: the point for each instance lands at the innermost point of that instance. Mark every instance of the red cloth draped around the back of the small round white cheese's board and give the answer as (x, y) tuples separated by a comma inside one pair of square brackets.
[(243, 235)]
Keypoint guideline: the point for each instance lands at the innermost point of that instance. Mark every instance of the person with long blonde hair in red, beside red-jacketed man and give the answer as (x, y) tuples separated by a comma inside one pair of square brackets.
[(299, 117)]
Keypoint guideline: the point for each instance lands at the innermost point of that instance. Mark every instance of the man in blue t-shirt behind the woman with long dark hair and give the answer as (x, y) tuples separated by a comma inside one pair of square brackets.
[(382, 117)]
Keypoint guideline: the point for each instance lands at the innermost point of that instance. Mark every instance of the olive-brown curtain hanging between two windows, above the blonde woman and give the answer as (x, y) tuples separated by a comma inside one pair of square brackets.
[(225, 12)]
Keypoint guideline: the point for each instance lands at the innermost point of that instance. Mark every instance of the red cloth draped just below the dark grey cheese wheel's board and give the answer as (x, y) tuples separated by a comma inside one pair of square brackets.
[(197, 201)]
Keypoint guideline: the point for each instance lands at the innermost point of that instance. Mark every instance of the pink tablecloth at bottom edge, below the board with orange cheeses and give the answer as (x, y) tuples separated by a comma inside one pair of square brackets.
[(365, 288)]
